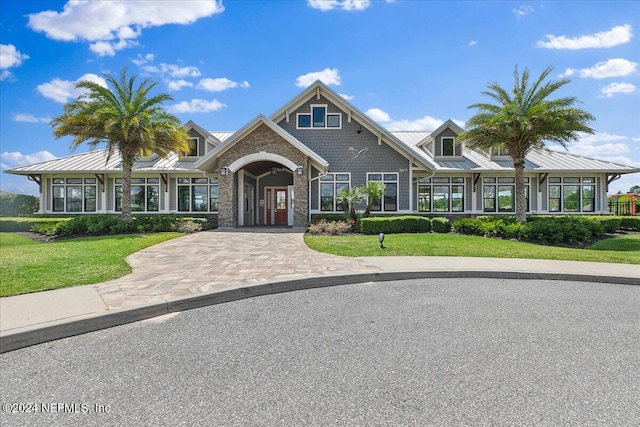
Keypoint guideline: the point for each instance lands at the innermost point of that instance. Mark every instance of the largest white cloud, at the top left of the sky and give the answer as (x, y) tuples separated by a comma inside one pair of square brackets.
[(112, 25)]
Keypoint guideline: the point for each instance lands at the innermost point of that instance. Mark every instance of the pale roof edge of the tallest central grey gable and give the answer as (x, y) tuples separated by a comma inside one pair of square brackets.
[(318, 88)]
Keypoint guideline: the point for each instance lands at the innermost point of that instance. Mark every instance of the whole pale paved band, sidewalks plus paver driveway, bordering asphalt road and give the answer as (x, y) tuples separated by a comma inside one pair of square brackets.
[(218, 266)]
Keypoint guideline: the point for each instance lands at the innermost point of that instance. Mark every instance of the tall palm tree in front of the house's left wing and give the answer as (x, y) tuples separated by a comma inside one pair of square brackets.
[(126, 119)]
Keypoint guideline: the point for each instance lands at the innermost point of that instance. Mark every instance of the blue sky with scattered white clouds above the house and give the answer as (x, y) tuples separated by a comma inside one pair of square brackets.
[(410, 65)]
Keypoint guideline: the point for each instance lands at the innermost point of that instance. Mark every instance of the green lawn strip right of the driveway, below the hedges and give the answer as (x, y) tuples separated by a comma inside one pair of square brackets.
[(623, 249)]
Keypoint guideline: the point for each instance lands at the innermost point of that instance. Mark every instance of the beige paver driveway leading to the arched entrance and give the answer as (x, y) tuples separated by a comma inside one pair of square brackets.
[(218, 259)]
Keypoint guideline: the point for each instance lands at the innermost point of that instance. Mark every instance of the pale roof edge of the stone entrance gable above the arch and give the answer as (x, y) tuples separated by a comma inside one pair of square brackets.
[(210, 160)]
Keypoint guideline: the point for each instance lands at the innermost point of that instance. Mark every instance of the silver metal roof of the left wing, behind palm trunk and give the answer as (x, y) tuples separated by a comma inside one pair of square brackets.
[(96, 162)]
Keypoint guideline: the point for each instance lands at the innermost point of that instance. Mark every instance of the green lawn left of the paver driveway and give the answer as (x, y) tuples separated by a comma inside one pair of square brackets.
[(28, 266)]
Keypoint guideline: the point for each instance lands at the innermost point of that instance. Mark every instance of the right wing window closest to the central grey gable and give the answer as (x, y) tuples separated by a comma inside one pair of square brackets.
[(441, 194)]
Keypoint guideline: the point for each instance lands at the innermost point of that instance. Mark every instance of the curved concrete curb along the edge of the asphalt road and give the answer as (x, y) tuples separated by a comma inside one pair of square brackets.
[(33, 335)]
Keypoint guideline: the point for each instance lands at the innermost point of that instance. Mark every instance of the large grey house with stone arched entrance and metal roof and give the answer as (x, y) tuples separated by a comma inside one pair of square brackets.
[(285, 168)]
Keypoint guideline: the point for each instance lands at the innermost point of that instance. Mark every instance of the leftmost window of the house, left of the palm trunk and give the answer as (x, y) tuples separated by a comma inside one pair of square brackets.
[(74, 194)]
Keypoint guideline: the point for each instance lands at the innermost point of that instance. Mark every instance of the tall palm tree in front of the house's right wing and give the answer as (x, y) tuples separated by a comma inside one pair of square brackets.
[(523, 121)]
